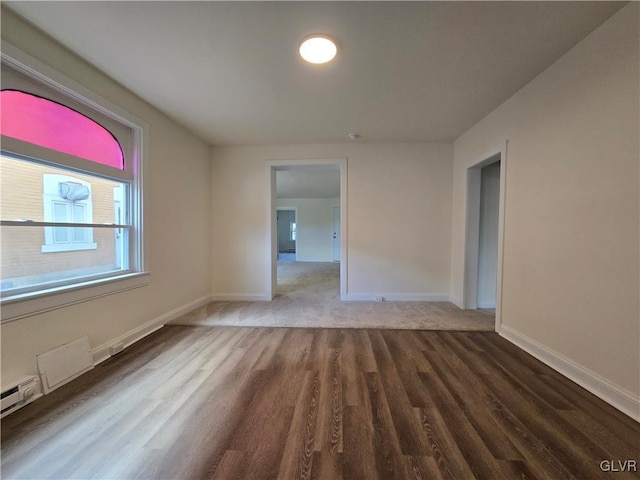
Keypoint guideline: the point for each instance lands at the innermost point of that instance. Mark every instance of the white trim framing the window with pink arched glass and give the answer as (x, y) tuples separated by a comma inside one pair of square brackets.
[(24, 305)]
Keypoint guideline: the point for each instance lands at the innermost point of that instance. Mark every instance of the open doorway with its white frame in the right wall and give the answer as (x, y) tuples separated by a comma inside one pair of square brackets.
[(484, 229)]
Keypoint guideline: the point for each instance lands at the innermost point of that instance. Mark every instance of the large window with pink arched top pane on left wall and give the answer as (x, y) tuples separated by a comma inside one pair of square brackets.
[(71, 194)]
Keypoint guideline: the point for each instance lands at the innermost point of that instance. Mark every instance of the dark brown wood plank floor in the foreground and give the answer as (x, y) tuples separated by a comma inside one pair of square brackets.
[(232, 403)]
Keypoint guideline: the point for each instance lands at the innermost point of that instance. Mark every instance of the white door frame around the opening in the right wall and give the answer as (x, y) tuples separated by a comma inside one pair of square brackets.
[(472, 228)]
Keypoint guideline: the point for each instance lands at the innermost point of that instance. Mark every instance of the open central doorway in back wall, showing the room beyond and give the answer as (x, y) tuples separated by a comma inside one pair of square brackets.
[(308, 245)]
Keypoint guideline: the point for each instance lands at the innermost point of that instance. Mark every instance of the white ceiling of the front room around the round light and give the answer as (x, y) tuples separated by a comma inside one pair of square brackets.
[(405, 71)]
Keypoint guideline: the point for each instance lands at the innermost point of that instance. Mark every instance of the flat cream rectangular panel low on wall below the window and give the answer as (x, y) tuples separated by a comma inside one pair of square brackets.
[(64, 363)]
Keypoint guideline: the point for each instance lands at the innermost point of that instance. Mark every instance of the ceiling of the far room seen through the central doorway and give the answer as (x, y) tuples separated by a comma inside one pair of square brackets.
[(308, 182)]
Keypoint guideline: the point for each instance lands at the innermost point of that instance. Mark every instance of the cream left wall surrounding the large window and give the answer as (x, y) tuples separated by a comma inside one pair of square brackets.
[(178, 227)]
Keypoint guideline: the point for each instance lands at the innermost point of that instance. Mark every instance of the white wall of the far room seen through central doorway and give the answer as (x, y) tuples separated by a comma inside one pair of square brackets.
[(315, 227)]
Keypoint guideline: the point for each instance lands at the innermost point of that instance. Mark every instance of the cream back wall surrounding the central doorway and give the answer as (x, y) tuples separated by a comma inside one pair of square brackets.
[(398, 217)]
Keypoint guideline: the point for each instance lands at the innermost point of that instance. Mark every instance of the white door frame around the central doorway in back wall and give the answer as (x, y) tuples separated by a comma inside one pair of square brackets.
[(272, 234)]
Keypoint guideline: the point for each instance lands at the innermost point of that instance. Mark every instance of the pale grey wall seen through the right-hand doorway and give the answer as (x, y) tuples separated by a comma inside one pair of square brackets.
[(488, 238)]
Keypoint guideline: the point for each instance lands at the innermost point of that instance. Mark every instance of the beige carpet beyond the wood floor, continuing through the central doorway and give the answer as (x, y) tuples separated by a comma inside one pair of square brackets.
[(308, 295)]
